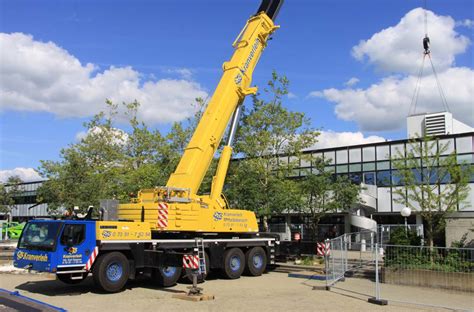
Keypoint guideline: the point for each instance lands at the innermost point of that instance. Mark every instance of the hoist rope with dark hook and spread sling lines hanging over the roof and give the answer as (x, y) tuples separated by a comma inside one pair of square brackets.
[(426, 54)]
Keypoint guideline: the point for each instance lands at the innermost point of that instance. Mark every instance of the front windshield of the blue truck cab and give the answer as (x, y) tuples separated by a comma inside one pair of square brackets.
[(40, 236)]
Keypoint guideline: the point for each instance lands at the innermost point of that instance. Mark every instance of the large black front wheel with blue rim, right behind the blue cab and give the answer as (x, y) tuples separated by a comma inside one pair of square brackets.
[(111, 271)]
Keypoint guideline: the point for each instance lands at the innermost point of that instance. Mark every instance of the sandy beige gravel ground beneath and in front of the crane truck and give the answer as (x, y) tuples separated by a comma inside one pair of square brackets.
[(270, 292)]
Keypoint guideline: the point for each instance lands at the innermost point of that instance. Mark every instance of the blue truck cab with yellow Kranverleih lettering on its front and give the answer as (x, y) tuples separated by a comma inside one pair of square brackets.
[(56, 246)]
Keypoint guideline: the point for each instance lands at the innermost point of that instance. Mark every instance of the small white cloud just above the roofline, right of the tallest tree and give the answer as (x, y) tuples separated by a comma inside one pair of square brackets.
[(336, 139)]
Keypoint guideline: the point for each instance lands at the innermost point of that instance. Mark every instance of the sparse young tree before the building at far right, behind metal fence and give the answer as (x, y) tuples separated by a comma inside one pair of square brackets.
[(433, 181)]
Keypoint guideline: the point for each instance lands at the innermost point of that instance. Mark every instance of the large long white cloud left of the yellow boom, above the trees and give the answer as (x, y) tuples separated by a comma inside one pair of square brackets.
[(39, 76)]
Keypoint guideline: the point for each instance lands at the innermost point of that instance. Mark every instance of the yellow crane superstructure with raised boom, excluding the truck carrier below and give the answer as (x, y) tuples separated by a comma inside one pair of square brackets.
[(177, 206)]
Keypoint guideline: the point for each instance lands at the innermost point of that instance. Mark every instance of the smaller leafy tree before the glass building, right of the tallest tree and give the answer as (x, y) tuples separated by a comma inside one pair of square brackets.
[(323, 194)]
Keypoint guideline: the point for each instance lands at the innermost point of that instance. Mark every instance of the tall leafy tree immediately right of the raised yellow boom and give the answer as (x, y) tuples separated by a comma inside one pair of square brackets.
[(268, 133)]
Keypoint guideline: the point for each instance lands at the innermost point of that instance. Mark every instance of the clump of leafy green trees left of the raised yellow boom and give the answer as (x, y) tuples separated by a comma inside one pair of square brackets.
[(109, 162)]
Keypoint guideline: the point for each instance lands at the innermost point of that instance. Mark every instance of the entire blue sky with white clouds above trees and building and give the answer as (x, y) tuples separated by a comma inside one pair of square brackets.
[(352, 65)]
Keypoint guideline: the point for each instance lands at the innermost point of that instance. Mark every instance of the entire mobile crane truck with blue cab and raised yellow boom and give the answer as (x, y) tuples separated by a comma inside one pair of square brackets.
[(155, 231)]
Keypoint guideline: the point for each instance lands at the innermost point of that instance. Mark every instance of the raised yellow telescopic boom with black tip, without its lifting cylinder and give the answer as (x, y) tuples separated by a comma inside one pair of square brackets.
[(229, 94)]
